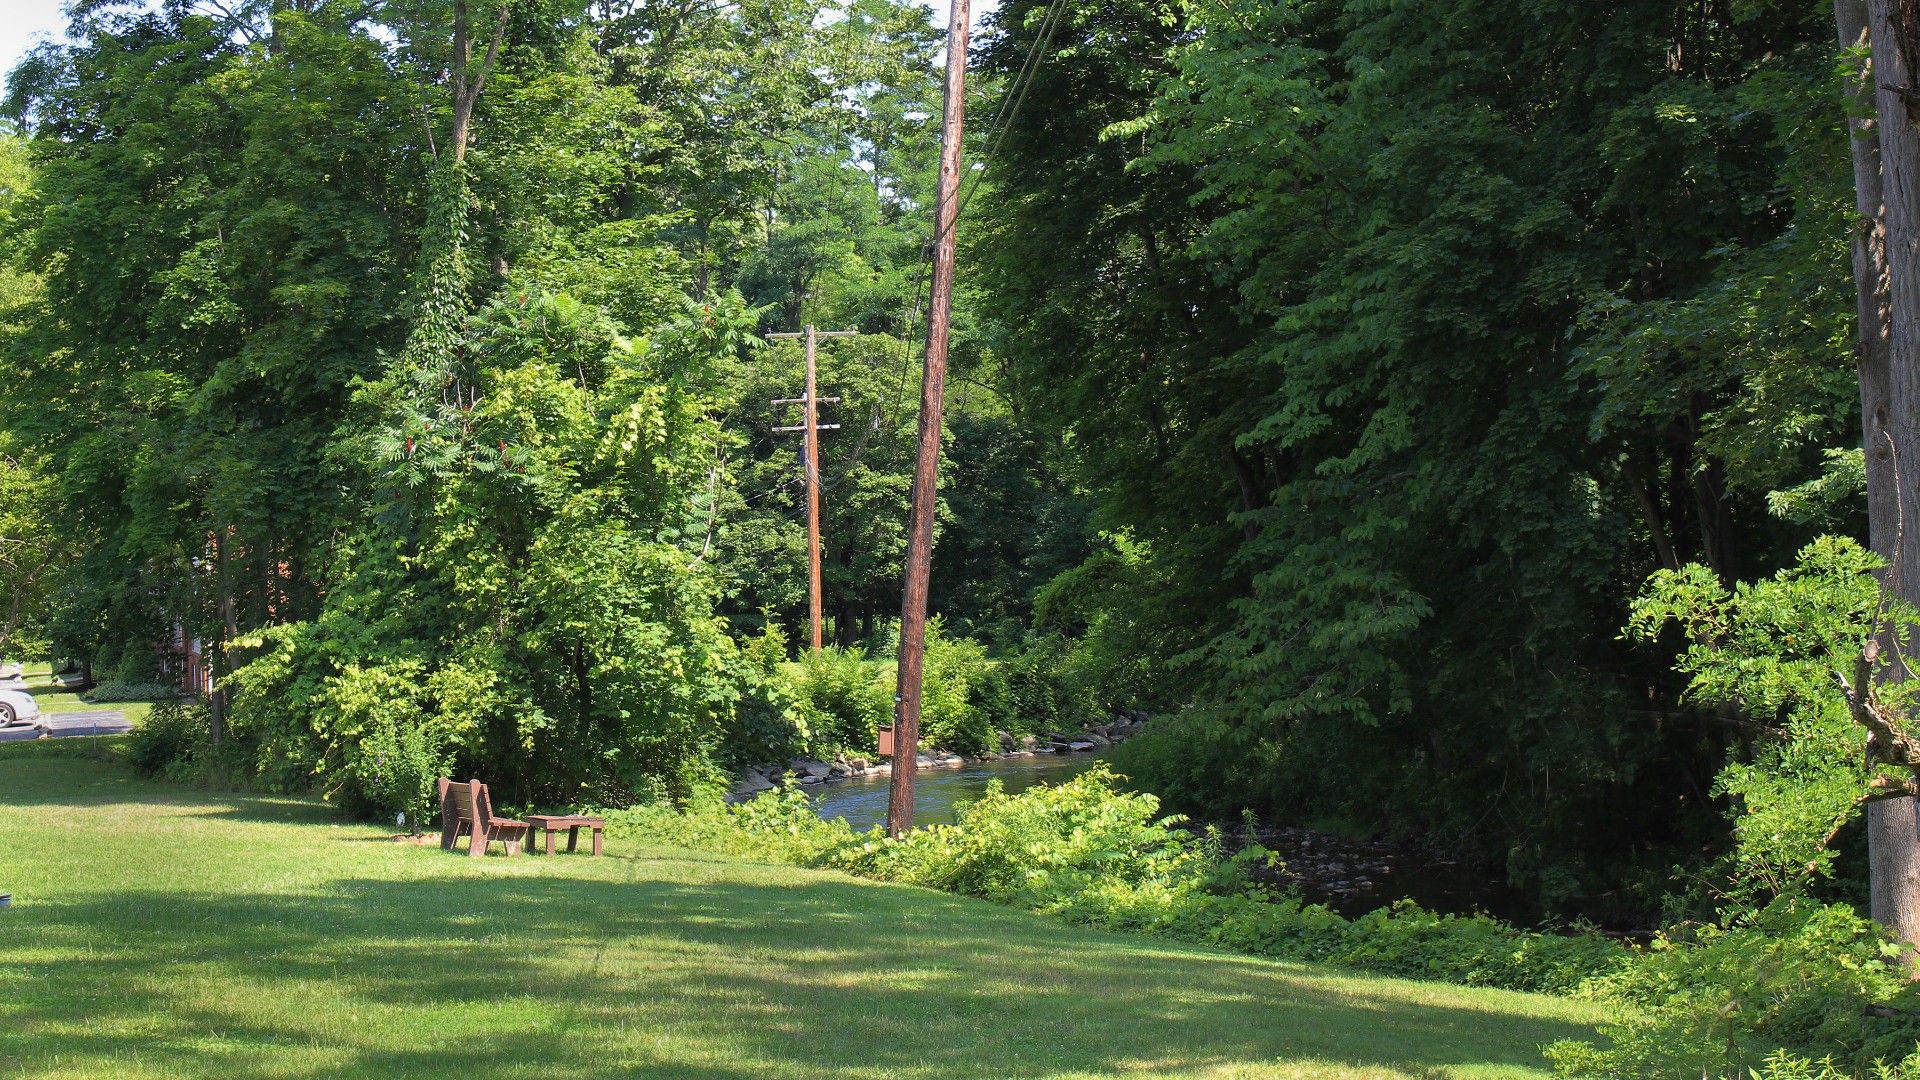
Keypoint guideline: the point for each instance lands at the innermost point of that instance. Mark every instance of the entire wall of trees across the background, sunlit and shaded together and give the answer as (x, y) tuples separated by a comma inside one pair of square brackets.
[(1330, 381)]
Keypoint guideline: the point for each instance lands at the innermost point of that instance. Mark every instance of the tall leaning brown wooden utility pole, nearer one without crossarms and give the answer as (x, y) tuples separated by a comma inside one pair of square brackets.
[(926, 466)]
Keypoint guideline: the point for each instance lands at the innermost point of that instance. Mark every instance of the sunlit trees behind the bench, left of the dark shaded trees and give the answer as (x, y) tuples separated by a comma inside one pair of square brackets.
[(460, 456)]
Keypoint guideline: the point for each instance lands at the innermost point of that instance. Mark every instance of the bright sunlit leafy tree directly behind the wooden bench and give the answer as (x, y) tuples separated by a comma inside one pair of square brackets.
[(533, 608)]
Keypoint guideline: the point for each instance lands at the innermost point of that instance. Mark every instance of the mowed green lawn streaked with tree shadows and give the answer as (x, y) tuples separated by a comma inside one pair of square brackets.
[(172, 933)]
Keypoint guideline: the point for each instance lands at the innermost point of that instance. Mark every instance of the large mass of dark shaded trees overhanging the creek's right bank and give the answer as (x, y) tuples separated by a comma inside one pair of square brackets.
[(1406, 341)]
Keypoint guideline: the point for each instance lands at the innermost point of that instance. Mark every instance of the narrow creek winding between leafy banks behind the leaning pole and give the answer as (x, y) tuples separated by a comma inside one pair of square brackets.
[(1347, 875)]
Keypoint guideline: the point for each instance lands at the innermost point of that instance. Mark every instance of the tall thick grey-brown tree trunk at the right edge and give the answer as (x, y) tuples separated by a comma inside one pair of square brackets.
[(1886, 266)]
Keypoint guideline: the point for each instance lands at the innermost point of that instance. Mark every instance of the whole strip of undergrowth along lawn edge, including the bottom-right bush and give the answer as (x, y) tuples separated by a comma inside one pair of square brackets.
[(1794, 993)]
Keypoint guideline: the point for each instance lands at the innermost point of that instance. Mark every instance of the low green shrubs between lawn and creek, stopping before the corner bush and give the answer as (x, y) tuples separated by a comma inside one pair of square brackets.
[(1097, 856)]
